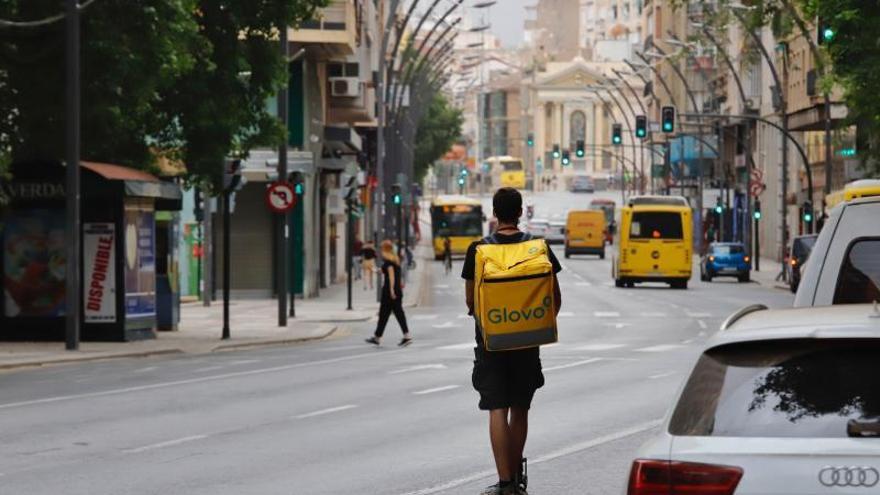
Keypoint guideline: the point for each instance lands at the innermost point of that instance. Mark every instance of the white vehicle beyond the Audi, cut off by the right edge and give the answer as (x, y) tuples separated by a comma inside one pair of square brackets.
[(844, 265)]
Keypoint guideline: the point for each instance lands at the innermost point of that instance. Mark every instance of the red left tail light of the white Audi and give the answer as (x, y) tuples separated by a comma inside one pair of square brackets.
[(650, 477)]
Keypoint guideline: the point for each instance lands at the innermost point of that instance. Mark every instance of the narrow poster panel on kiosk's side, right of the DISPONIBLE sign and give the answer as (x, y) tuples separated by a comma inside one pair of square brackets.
[(140, 261)]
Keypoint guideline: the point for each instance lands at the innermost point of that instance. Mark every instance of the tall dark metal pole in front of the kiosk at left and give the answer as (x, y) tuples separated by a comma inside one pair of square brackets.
[(73, 285)]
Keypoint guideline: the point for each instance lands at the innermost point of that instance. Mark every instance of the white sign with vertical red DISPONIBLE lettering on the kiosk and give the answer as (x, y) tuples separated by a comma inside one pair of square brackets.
[(99, 273)]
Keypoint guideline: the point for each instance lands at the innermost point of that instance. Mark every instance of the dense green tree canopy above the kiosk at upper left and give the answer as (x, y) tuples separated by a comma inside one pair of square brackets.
[(185, 78)]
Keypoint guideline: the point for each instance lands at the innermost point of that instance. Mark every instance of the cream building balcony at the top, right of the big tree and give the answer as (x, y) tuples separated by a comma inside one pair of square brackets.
[(334, 26)]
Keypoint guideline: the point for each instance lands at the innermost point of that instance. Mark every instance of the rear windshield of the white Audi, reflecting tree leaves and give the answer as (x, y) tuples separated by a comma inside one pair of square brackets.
[(788, 388)]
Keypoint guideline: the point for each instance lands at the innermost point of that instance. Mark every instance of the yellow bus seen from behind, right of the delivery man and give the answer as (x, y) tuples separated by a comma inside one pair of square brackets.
[(656, 242)]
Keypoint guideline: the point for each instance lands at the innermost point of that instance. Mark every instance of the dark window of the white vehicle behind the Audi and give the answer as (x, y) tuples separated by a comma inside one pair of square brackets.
[(859, 278)]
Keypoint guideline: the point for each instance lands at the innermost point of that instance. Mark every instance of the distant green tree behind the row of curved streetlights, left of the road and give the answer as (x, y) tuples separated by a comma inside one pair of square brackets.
[(438, 130)]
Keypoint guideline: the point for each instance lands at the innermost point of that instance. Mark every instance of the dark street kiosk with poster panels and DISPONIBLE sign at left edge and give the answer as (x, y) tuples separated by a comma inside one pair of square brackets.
[(119, 251)]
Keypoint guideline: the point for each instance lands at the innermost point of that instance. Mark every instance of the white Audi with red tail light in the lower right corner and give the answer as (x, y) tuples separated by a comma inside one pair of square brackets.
[(781, 402)]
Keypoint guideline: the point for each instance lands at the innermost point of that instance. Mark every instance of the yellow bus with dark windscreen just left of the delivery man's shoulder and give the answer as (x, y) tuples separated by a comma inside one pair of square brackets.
[(458, 217)]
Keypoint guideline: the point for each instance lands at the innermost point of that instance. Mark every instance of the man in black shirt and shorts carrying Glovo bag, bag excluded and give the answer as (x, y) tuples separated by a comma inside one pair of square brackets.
[(506, 380)]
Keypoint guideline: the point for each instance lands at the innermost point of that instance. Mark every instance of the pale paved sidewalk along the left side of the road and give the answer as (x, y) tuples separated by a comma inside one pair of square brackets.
[(252, 323)]
